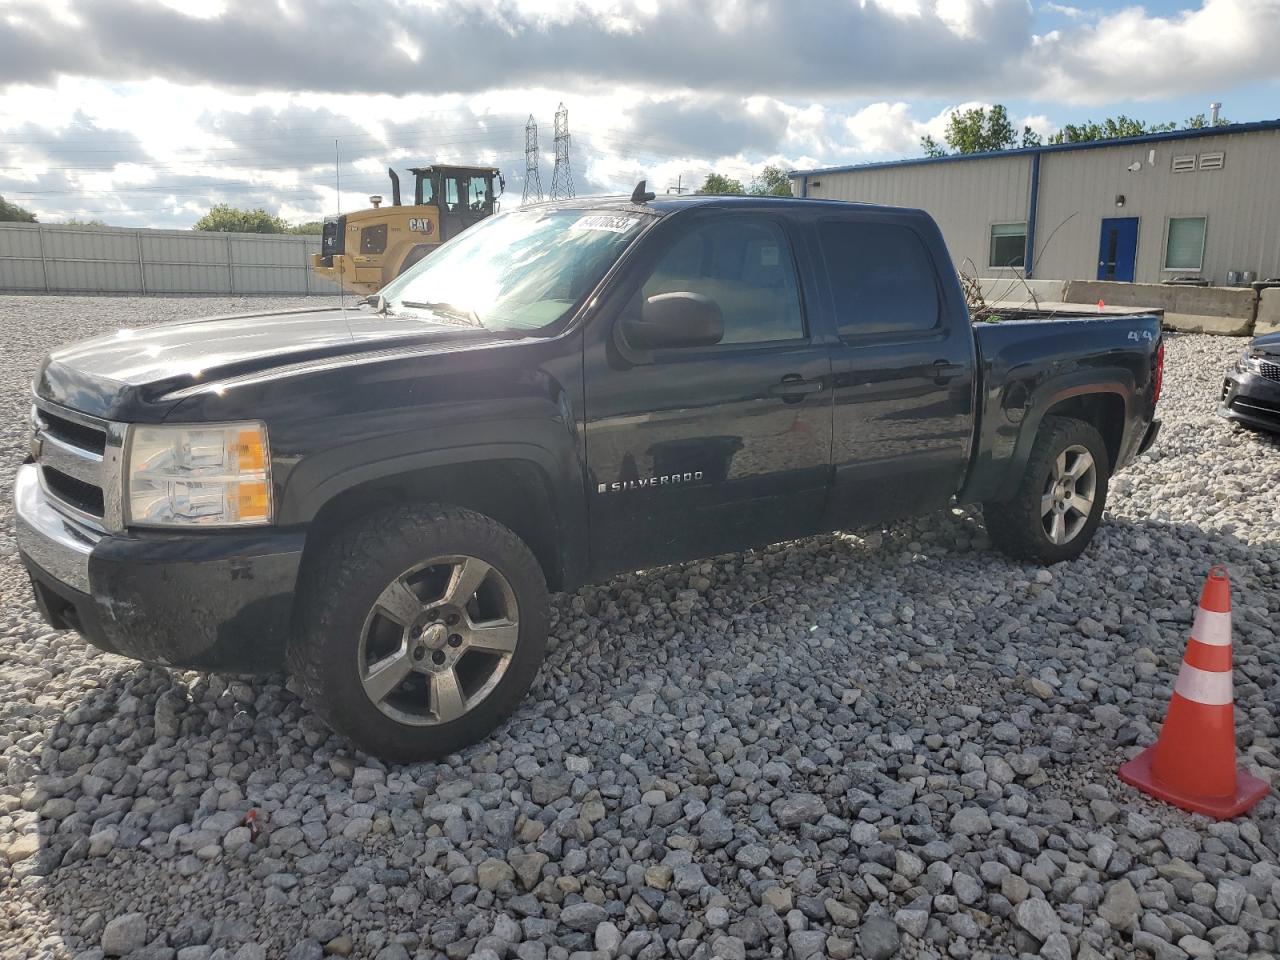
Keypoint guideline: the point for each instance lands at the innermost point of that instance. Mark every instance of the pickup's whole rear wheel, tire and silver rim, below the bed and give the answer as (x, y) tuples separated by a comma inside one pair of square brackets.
[(1059, 504)]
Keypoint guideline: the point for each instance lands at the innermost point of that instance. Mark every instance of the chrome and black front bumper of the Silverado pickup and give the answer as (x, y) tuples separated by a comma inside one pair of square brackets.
[(203, 601)]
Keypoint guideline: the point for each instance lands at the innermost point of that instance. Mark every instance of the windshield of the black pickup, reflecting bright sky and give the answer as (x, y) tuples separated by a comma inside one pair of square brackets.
[(522, 271)]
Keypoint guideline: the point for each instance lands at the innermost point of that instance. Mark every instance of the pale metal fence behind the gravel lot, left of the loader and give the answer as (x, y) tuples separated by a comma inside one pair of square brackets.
[(47, 259)]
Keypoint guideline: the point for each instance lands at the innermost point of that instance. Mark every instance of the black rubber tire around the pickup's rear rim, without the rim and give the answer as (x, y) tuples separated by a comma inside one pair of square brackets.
[(1017, 525)]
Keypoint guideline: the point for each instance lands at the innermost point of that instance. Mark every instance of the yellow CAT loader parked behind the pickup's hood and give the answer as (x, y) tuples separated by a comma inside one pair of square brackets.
[(369, 249)]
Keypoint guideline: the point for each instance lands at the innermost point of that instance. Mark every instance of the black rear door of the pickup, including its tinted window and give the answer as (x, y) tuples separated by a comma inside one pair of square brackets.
[(904, 367)]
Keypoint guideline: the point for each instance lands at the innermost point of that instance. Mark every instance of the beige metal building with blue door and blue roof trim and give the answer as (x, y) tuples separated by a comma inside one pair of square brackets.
[(1203, 203)]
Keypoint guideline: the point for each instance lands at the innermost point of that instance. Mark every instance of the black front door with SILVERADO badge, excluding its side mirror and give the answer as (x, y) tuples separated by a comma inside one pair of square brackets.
[(700, 451)]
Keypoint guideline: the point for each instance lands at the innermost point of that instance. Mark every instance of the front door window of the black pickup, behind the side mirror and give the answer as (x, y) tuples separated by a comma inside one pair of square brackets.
[(746, 266)]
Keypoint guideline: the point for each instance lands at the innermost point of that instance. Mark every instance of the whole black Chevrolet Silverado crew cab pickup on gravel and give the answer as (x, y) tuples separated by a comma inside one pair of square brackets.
[(382, 497)]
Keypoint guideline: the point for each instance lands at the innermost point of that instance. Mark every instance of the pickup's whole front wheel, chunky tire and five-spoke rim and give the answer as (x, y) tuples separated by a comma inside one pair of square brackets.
[(420, 630)]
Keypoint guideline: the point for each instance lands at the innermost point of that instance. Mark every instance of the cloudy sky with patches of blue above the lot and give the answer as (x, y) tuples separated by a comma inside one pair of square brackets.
[(148, 112)]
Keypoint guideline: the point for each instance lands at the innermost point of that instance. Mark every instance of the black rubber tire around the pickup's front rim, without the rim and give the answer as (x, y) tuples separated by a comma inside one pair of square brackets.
[(341, 587)]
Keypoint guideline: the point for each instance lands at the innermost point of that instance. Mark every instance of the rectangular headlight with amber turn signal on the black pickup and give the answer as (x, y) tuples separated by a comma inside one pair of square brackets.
[(199, 476)]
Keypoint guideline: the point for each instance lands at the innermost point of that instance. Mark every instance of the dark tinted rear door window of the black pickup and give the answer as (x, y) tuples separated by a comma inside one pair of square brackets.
[(883, 278)]
